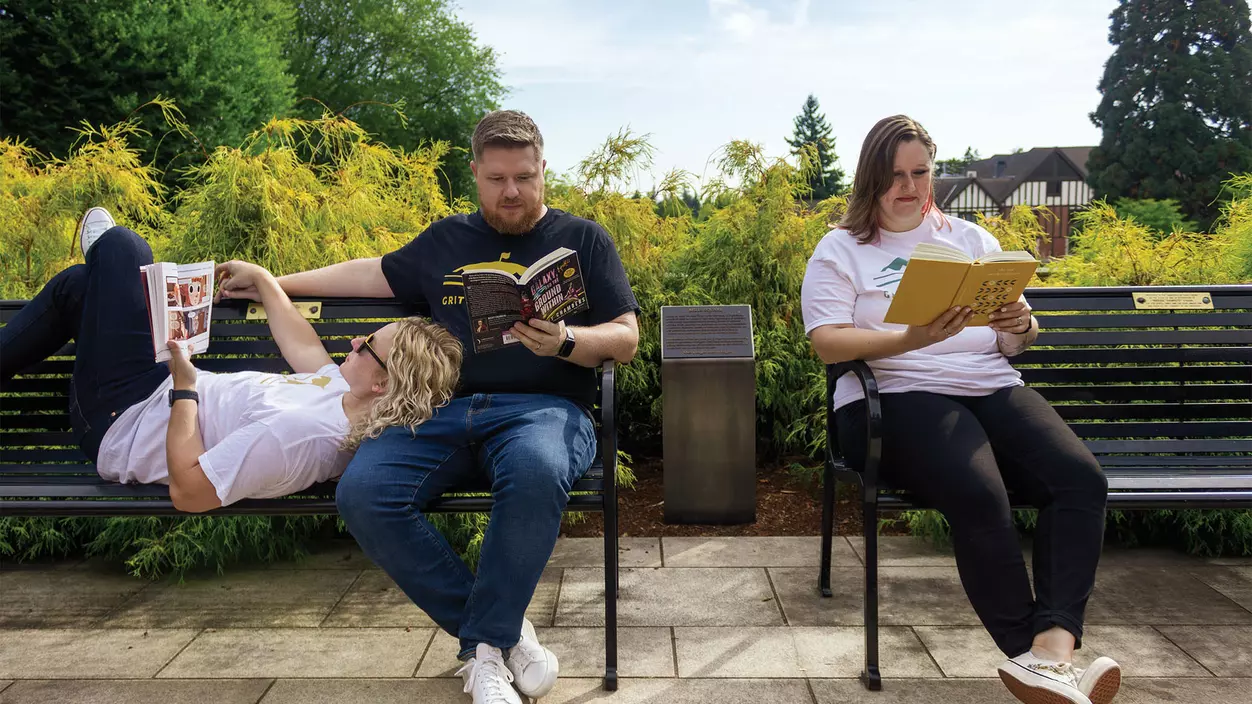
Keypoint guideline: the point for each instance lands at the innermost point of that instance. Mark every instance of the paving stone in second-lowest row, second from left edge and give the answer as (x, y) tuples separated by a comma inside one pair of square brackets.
[(302, 653)]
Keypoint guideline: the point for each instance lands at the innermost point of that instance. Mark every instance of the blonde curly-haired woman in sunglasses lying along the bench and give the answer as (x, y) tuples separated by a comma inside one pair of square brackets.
[(218, 438)]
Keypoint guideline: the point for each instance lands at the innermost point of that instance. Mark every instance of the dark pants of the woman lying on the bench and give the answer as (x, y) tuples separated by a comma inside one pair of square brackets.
[(100, 305)]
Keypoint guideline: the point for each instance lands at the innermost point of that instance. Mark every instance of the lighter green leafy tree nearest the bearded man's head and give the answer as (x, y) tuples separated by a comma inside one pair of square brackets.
[(416, 53)]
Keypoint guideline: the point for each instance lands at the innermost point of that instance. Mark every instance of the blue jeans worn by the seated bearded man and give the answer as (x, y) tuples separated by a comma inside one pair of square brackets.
[(531, 448)]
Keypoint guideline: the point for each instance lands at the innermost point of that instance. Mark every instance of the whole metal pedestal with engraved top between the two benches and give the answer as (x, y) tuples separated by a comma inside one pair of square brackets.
[(709, 414)]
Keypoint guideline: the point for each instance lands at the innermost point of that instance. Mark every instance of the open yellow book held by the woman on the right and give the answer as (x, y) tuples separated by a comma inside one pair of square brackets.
[(940, 277)]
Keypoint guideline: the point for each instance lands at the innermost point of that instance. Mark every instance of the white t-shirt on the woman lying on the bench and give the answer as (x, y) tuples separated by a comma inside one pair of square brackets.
[(265, 435)]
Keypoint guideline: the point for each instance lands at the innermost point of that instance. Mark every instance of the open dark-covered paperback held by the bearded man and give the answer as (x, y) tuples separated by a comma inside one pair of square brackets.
[(550, 290)]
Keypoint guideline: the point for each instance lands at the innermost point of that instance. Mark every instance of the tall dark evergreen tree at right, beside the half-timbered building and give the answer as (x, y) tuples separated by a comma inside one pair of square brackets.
[(1178, 103)]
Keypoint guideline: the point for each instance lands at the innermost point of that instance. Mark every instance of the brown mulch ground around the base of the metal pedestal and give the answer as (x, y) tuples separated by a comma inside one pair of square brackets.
[(786, 505)]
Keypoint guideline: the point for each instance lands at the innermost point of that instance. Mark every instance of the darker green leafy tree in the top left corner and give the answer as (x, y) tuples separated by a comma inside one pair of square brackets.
[(62, 63)]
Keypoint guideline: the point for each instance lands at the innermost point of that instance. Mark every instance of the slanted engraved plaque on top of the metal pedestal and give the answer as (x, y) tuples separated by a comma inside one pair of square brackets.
[(692, 333)]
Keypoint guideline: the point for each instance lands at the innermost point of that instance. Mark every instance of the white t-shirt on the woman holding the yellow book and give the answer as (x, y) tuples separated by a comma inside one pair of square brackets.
[(848, 282)]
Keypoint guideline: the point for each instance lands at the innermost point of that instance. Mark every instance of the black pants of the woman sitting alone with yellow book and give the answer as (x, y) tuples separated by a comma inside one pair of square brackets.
[(960, 455)]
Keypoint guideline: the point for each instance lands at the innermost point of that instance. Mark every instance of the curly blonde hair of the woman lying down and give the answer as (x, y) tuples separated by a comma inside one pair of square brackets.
[(424, 368)]
